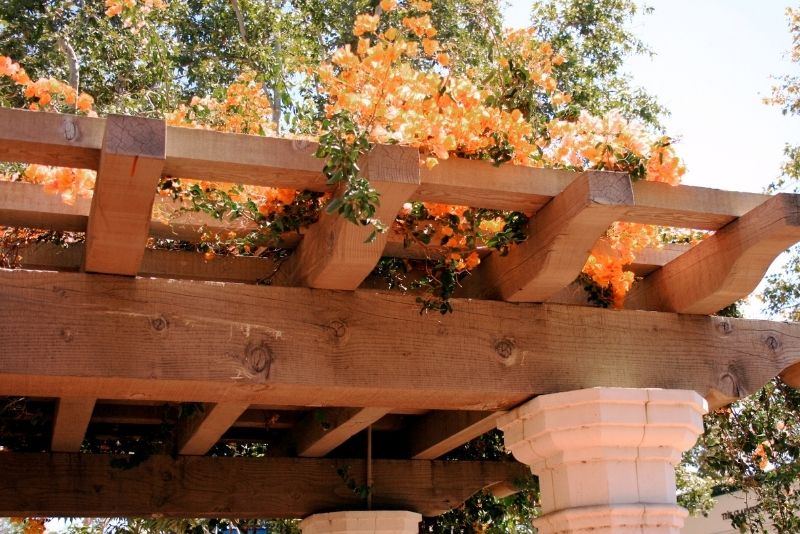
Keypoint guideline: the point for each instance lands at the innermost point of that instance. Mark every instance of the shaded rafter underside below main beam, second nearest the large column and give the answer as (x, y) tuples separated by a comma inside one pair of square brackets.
[(323, 430)]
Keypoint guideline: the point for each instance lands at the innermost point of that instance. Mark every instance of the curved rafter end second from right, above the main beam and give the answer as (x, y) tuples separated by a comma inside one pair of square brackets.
[(560, 237)]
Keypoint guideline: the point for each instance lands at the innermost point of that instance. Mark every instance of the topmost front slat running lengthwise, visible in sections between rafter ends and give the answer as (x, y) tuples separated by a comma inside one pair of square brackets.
[(73, 141)]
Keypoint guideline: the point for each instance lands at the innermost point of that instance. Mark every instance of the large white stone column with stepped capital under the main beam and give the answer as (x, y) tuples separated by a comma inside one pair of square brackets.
[(606, 457)]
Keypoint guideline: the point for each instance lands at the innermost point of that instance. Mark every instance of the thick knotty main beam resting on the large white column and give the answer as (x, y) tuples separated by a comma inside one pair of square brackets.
[(154, 339)]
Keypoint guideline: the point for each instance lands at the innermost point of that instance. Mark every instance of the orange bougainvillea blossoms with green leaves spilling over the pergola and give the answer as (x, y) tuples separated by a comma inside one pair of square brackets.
[(396, 86)]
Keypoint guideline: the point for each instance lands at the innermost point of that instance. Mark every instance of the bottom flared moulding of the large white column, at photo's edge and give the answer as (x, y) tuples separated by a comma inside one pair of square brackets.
[(615, 519)]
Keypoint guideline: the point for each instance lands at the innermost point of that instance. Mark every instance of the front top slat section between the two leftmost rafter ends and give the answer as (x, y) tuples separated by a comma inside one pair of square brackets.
[(245, 159)]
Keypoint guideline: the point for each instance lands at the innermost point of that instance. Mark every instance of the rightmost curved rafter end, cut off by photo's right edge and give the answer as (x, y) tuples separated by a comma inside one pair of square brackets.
[(725, 267)]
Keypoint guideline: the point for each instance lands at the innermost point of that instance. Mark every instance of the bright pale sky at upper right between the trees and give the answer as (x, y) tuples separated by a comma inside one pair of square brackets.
[(712, 67)]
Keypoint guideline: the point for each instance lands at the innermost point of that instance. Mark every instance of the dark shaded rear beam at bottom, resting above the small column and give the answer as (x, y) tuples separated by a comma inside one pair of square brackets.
[(51, 485)]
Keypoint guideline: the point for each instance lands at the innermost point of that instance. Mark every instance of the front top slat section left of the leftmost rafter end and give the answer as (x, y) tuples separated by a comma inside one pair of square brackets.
[(50, 138)]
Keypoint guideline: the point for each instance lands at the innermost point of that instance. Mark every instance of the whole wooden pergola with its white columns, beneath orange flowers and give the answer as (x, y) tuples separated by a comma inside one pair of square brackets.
[(322, 365)]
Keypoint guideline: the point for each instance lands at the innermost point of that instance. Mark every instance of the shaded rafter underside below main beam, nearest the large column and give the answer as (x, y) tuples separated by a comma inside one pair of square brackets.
[(440, 432)]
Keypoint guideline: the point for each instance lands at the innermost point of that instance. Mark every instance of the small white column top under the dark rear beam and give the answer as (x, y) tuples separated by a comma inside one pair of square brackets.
[(372, 522)]
